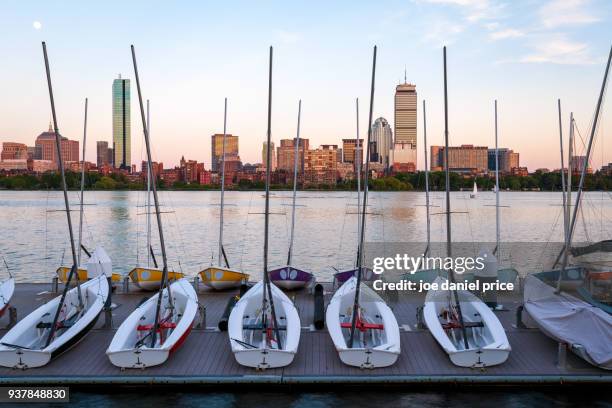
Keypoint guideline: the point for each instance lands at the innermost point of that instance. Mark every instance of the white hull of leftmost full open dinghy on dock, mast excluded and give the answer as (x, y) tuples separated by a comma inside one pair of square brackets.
[(24, 345)]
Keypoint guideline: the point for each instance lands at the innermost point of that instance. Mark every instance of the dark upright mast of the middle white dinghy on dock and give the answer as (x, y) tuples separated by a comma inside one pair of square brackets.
[(267, 285)]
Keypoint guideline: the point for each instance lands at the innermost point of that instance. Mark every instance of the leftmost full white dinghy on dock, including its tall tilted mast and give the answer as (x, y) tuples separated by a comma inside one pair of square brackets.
[(59, 324)]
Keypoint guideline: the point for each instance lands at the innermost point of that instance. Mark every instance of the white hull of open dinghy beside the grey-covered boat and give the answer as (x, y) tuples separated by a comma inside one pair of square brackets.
[(487, 344)]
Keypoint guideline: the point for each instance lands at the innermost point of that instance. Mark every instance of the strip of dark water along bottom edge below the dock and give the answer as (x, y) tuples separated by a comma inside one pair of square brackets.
[(471, 397)]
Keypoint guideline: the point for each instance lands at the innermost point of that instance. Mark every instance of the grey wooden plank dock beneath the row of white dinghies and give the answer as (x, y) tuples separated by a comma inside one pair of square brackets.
[(206, 357)]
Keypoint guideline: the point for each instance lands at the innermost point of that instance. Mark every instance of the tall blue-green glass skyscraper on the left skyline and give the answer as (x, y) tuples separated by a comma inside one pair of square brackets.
[(122, 123)]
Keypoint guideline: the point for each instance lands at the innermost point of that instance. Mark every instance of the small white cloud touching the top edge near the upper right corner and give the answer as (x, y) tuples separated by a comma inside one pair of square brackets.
[(557, 13)]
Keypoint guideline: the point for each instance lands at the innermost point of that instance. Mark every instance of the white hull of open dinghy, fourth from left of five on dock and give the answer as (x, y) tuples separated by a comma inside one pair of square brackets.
[(383, 347)]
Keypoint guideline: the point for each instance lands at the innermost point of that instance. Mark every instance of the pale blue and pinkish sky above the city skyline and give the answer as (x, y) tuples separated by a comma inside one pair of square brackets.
[(193, 54)]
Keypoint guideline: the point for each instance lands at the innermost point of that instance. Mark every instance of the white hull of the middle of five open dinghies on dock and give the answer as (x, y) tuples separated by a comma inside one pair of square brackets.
[(249, 346)]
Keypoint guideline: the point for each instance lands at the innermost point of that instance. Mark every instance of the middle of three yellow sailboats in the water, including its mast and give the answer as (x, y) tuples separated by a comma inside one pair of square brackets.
[(148, 278)]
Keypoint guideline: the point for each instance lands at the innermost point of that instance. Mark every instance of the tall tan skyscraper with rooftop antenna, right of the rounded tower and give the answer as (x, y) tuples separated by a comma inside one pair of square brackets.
[(405, 125)]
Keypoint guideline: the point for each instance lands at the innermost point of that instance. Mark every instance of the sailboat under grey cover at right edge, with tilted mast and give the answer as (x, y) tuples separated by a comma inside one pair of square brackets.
[(560, 314)]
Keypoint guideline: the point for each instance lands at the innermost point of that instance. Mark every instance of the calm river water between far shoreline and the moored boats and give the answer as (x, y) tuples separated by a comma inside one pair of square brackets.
[(35, 239)]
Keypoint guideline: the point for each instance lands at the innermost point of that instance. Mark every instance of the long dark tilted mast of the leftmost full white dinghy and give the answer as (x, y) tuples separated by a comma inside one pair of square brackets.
[(60, 161)]
